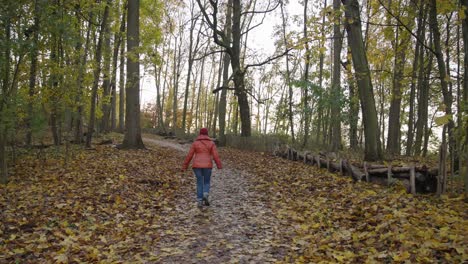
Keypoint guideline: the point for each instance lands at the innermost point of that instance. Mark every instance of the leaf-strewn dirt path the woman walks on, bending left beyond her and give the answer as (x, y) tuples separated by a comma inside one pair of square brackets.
[(237, 228)]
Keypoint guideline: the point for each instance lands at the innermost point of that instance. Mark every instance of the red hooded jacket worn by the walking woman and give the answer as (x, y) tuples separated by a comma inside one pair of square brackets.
[(204, 150)]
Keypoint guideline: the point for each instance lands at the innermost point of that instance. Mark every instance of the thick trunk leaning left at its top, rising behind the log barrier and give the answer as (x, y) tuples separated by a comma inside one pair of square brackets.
[(373, 149)]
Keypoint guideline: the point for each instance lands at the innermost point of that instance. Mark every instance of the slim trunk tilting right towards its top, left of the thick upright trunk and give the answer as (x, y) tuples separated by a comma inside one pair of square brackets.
[(97, 73)]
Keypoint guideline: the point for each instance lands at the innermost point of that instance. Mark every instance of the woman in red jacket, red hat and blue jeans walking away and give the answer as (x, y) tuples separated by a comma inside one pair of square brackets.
[(205, 151)]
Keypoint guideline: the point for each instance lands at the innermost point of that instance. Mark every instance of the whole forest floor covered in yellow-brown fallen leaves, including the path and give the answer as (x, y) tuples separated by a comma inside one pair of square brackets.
[(109, 205)]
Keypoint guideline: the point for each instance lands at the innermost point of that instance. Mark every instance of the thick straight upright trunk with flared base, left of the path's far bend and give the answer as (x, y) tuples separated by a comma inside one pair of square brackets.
[(132, 136)]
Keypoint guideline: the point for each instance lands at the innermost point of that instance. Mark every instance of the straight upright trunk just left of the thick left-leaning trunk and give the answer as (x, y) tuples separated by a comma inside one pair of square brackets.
[(336, 81)]
